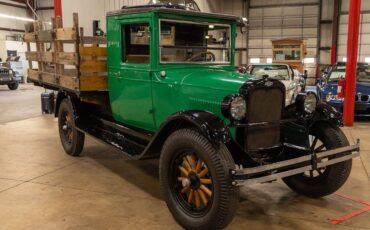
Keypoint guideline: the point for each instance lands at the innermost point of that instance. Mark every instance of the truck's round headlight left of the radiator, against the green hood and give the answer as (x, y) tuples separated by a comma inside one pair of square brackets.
[(234, 107)]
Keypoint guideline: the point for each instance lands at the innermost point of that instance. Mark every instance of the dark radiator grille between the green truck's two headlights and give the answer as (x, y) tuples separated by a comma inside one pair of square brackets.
[(264, 105)]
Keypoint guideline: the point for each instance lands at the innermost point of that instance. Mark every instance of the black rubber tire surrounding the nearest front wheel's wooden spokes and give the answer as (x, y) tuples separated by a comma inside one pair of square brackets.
[(220, 209)]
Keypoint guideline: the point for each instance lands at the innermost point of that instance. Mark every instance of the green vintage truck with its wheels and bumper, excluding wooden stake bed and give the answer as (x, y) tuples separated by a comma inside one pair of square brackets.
[(174, 94)]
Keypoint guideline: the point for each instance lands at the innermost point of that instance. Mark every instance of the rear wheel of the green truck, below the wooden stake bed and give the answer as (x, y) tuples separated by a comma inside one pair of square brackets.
[(72, 139)]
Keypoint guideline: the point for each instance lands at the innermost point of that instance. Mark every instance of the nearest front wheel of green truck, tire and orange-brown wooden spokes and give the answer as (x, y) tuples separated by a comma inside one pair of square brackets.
[(195, 181)]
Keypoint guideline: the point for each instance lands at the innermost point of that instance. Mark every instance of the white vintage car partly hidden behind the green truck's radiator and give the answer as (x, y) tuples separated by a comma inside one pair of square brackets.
[(291, 78)]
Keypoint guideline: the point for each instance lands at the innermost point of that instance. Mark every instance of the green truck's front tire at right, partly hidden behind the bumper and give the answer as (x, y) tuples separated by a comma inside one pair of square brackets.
[(330, 179)]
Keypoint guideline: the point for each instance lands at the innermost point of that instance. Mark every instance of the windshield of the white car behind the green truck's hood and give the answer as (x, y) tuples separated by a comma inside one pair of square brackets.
[(279, 72)]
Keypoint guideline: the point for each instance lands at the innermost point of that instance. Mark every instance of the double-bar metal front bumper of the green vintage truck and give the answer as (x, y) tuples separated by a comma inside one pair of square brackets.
[(278, 170)]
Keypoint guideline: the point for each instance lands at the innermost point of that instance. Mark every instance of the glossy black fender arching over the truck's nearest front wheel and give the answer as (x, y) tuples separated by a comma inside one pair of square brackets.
[(208, 124)]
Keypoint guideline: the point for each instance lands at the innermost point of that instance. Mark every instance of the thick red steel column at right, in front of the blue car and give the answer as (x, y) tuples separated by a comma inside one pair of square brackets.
[(352, 51)]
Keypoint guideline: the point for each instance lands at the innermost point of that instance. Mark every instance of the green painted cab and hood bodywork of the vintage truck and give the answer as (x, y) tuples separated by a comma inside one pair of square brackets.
[(140, 97)]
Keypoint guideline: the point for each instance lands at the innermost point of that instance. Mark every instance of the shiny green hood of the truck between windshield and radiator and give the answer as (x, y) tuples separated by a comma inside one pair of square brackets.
[(205, 88)]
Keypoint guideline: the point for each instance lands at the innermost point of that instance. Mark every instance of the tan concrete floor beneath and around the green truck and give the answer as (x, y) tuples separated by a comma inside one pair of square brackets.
[(43, 188)]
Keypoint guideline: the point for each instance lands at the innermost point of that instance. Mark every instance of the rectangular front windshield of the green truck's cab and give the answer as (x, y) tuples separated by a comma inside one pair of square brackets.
[(189, 42)]
